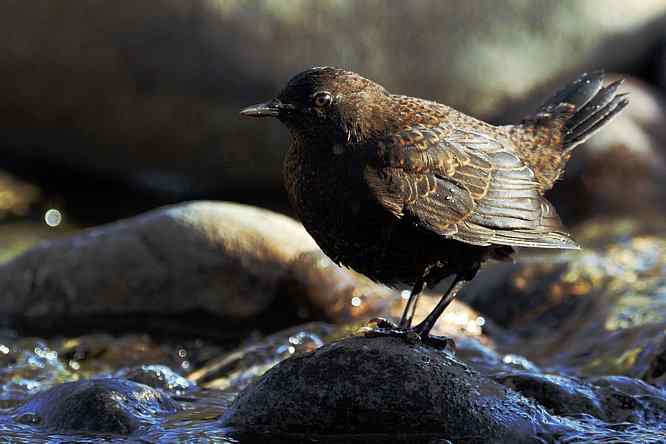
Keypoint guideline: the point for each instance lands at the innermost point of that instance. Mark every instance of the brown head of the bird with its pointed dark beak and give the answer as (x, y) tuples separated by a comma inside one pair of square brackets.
[(329, 102)]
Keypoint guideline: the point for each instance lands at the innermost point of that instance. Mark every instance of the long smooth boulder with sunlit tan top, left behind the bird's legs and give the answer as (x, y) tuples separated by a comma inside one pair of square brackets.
[(202, 261)]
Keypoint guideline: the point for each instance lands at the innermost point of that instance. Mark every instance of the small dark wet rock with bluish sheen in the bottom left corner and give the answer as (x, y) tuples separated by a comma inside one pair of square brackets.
[(114, 406)]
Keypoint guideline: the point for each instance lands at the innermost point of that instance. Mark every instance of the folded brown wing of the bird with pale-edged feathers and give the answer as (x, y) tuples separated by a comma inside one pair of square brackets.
[(464, 185)]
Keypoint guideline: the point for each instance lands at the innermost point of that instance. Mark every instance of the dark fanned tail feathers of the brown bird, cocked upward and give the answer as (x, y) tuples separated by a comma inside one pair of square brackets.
[(582, 108)]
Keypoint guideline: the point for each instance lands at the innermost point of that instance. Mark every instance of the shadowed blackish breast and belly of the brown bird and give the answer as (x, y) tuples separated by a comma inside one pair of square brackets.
[(336, 207)]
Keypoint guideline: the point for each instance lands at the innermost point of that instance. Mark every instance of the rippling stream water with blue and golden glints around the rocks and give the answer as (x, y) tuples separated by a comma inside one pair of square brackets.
[(598, 315)]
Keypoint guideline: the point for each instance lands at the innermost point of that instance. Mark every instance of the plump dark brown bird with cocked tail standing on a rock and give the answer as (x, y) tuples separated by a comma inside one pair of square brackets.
[(410, 192)]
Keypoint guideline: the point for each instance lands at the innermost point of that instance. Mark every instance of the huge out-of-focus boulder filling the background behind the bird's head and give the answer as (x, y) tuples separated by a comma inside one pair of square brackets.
[(158, 87)]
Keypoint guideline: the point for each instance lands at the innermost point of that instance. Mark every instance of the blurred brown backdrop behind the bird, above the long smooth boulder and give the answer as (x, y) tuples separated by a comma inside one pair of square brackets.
[(108, 109)]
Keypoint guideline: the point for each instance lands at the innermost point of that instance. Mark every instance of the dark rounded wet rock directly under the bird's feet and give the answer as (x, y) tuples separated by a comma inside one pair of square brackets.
[(382, 385)]
